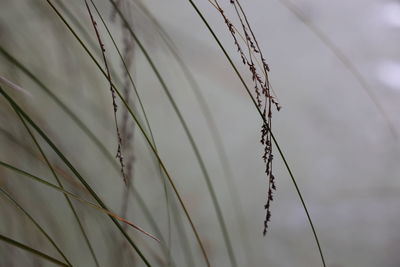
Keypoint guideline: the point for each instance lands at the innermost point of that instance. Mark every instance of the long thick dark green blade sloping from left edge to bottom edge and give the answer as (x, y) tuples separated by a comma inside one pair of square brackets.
[(71, 167)]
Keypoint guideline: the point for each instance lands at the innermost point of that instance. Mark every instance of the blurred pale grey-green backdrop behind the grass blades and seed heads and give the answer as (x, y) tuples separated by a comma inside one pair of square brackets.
[(335, 68)]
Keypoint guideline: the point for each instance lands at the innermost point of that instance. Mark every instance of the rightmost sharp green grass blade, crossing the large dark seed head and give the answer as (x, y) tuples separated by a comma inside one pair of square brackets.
[(263, 118)]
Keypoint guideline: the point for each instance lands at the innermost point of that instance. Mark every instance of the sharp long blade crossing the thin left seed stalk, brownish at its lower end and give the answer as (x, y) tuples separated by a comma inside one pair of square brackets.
[(143, 132)]
